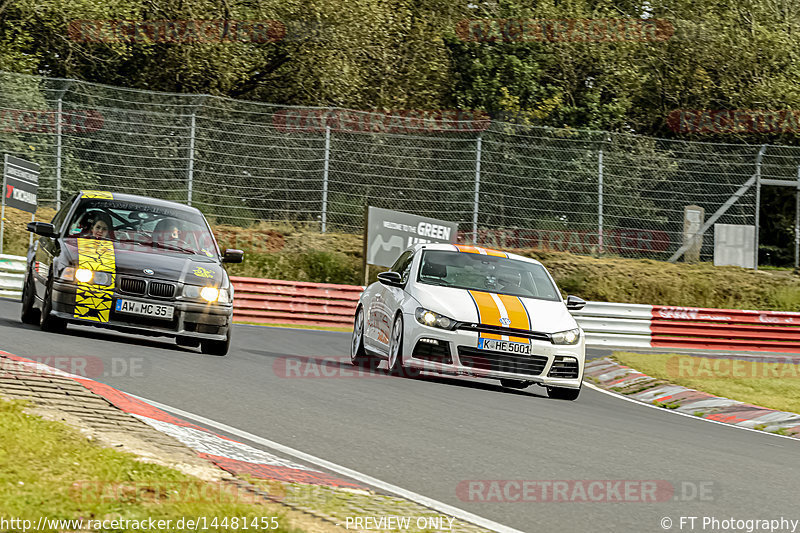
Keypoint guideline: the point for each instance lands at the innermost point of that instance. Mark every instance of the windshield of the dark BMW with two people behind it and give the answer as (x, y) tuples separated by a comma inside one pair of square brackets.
[(160, 227)]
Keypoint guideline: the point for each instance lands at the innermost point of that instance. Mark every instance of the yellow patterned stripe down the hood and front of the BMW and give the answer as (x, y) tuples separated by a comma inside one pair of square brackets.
[(92, 301)]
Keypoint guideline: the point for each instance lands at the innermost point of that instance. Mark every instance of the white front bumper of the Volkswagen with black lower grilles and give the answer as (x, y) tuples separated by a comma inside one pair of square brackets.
[(543, 366)]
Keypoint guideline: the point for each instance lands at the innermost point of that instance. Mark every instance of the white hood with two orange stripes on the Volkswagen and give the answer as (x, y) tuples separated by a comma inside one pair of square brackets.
[(545, 316)]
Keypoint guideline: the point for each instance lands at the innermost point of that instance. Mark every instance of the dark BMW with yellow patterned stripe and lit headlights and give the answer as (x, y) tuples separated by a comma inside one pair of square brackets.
[(134, 264)]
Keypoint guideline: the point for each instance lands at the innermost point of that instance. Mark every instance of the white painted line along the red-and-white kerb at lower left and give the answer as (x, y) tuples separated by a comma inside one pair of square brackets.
[(333, 467)]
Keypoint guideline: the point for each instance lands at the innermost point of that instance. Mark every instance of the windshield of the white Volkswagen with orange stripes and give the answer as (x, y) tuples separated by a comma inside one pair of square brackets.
[(486, 273)]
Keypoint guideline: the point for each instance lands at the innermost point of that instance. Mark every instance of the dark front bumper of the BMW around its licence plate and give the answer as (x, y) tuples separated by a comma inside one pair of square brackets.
[(190, 318)]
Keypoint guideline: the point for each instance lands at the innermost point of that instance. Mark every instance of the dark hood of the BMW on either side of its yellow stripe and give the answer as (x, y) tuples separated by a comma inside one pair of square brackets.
[(165, 264)]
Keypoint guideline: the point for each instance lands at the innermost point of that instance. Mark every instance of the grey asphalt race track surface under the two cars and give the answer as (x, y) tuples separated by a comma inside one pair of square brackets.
[(428, 434)]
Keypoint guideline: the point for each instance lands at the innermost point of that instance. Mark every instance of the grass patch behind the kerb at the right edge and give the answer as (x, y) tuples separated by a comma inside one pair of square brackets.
[(775, 385)]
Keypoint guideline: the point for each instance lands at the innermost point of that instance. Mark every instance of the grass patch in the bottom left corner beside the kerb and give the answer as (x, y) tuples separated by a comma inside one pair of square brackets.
[(48, 469)]
